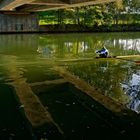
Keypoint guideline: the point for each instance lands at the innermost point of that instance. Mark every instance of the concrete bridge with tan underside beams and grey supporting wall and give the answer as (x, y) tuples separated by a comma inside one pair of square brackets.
[(20, 15)]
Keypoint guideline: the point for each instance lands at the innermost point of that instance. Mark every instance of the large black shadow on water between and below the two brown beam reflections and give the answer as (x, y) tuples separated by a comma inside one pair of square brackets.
[(80, 117)]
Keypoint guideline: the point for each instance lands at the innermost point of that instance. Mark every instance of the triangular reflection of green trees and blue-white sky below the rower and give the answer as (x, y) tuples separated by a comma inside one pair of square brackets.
[(116, 79)]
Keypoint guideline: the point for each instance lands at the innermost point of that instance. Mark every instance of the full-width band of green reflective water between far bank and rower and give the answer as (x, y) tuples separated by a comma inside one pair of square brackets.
[(69, 45)]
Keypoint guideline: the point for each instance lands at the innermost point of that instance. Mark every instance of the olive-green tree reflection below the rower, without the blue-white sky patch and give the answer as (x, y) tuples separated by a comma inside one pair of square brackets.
[(105, 75)]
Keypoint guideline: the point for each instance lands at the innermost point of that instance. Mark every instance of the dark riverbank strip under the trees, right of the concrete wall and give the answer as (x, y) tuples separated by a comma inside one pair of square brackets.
[(64, 28)]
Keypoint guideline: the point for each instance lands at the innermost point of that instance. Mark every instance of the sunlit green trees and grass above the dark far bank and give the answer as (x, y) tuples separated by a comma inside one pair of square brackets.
[(118, 12)]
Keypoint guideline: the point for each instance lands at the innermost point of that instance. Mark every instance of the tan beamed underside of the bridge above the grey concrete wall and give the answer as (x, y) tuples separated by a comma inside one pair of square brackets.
[(44, 5)]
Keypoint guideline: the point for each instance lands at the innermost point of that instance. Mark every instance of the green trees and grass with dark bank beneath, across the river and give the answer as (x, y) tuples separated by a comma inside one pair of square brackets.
[(118, 16)]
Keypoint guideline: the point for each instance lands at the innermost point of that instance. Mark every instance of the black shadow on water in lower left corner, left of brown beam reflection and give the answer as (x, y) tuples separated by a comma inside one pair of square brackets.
[(13, 123)]
